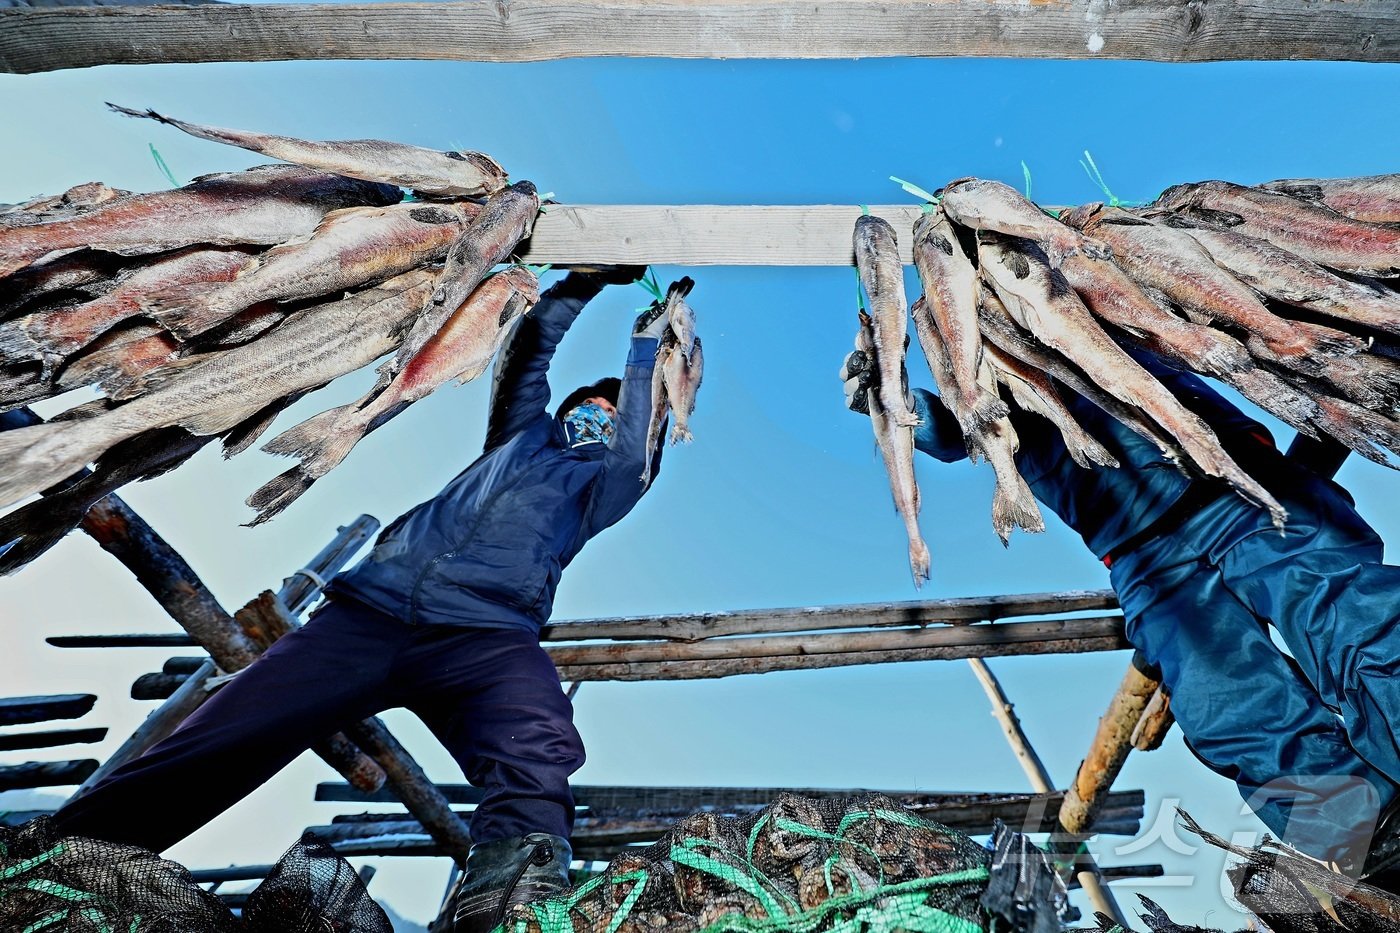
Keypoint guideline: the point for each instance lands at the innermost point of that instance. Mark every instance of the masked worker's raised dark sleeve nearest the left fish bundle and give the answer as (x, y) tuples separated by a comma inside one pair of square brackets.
[(520, 389)]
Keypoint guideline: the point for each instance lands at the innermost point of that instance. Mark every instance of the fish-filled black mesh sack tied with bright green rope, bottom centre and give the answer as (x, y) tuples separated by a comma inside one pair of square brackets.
[(856, 865)]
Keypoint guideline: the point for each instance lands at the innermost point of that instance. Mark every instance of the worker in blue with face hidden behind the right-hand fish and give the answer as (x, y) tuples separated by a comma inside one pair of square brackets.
[(1202, 575)]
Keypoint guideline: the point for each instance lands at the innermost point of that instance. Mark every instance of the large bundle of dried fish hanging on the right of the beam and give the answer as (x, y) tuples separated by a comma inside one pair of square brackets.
[(1280, 292)]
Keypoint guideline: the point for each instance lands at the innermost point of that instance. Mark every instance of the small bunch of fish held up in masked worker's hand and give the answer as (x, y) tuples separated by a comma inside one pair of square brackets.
[(675, 382)]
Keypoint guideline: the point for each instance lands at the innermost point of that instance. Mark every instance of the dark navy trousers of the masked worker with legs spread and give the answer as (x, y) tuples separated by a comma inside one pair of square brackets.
[(492, 697)]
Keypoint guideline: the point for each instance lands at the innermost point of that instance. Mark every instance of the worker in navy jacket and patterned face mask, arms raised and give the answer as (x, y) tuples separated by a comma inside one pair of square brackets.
[(443, 618)]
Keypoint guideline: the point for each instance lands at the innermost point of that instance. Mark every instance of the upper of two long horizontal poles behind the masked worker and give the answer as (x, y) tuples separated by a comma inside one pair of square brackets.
[(706, 626)]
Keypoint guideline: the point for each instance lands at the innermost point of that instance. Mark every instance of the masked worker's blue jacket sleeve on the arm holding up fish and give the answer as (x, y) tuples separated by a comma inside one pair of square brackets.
[(619, 487)]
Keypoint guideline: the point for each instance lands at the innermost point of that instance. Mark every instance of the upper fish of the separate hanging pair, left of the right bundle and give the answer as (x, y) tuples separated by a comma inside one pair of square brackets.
[(883, 277)]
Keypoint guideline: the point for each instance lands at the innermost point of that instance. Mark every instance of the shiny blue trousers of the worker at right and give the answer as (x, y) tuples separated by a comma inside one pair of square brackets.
[(1311, 740)]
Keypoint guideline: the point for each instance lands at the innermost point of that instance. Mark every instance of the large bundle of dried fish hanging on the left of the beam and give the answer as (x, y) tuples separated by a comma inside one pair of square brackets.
[(204, 312)]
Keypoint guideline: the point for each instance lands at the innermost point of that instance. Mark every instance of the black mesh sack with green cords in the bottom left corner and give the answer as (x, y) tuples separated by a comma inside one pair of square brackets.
[(86, 886)]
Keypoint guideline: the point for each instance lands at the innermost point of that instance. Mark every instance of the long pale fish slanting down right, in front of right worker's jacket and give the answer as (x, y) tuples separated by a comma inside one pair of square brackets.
[(1044, 303)]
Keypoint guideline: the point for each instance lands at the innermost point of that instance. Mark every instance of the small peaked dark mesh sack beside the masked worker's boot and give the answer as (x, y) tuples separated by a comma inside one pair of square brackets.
[(314, 889)]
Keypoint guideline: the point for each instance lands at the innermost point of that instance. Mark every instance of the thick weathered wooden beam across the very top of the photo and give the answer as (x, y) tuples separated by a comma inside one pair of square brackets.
[(542, 30)]
